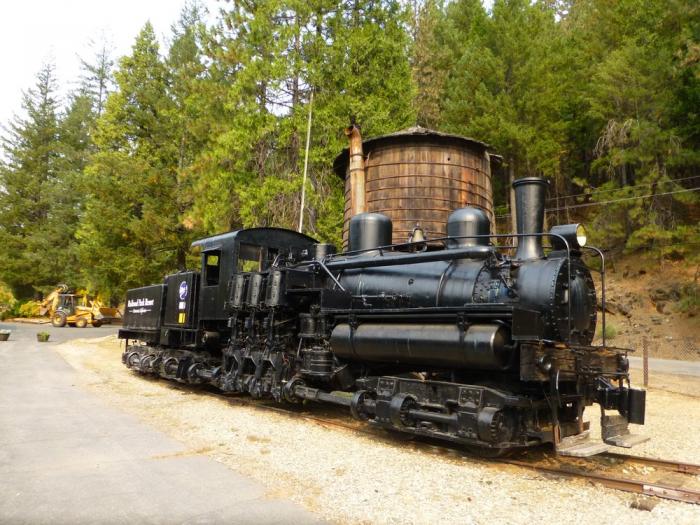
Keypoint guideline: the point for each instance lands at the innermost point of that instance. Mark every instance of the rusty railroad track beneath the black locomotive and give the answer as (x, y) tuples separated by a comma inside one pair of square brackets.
[(603, 469)]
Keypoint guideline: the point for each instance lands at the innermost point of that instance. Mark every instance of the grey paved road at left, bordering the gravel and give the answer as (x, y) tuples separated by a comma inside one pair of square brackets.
[(65, 457)]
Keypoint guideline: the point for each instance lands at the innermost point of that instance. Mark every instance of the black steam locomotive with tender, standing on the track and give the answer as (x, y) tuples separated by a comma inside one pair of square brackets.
[(447, 338)]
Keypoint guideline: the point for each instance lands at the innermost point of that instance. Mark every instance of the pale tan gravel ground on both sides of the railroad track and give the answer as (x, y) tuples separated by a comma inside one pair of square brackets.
[(349, 477)]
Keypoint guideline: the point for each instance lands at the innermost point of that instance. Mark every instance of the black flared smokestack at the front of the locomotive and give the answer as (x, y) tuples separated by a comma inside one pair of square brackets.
[(529, 208)]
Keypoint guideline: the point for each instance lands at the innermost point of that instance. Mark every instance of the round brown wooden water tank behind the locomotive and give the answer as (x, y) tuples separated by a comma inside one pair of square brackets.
[(418, 177)]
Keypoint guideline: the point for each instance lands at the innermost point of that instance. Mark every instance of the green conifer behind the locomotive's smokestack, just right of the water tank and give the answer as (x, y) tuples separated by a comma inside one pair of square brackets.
[(507, 89)]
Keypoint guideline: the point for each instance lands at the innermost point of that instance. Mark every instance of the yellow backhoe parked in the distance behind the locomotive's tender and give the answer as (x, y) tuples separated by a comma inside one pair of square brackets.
[(76, 310)]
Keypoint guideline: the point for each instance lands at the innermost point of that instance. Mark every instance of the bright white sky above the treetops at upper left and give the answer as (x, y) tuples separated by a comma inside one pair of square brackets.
[(34, 31)]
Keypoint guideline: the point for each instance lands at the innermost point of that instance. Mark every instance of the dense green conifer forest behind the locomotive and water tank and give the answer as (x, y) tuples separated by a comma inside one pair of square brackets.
[(107, 187)]
